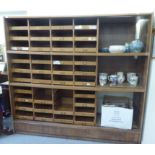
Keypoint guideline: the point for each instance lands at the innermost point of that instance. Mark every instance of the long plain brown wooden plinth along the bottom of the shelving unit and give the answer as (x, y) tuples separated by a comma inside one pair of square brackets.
[(77, 131)]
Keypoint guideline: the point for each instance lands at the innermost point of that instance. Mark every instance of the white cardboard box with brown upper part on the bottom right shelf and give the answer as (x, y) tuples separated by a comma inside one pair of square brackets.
[(117, 112)]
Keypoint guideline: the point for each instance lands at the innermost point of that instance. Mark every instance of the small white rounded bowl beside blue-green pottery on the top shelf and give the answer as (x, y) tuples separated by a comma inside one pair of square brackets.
[(116, 49)]
